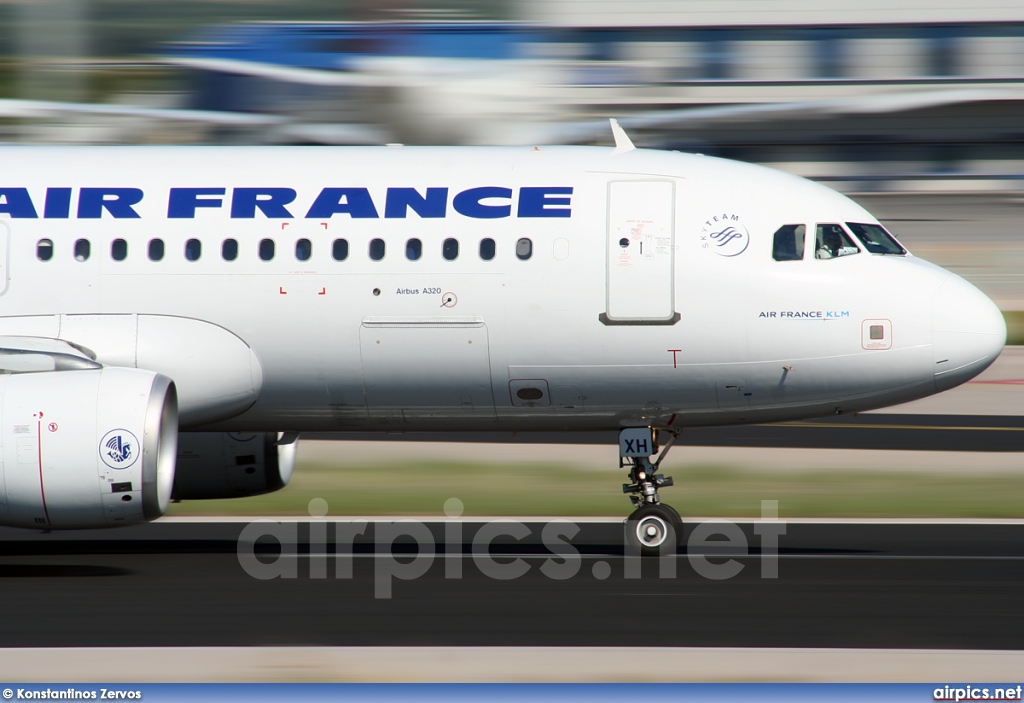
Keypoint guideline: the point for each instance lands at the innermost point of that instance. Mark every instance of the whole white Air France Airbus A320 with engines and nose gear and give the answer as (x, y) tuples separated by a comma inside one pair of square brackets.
[(245, 295)]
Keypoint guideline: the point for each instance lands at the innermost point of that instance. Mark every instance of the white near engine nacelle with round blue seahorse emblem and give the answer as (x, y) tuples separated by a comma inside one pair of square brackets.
[(87, 449)]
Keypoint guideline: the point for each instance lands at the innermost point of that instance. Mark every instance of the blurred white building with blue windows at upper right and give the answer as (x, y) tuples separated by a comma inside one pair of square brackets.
[(882, 90)]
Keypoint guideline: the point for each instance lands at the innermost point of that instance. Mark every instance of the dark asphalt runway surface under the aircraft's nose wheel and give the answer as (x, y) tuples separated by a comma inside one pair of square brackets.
[(899, 585)]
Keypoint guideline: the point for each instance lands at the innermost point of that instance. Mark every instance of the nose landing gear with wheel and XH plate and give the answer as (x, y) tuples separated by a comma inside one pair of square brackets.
[(654, 529)]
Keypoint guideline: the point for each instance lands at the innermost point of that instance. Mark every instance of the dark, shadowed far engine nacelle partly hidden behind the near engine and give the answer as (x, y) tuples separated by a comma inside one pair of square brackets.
[(231, 465)]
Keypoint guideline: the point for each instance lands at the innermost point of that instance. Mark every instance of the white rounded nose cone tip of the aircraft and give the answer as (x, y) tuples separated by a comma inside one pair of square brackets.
[(969, 333)]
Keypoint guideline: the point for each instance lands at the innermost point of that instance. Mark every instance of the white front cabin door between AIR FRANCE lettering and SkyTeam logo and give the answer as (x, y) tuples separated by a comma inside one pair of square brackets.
[(642, 253)]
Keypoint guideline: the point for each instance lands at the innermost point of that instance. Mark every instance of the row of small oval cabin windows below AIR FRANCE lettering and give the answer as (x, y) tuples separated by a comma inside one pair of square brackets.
[(304, 250)]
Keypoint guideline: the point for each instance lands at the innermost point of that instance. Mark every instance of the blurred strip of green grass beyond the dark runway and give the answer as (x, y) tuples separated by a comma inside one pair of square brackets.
[(552, 490)]
